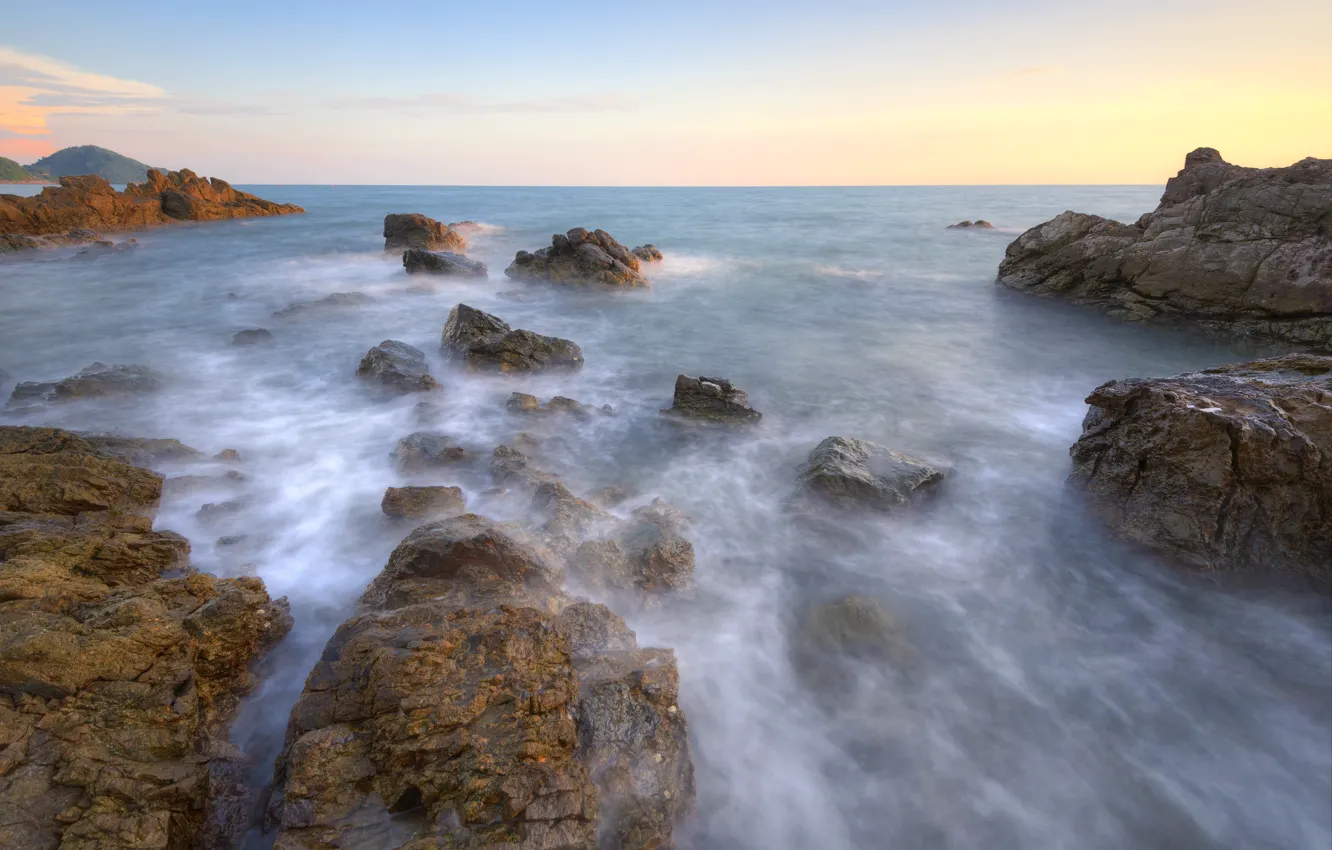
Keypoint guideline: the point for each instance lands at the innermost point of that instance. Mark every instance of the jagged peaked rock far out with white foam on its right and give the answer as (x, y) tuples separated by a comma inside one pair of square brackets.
[(580, 258)]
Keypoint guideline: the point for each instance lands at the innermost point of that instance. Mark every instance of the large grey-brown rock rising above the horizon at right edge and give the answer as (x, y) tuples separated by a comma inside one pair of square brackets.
[(1243, 251)]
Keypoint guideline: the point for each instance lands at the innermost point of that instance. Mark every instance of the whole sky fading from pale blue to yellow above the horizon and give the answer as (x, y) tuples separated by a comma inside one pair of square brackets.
[(829, 93)]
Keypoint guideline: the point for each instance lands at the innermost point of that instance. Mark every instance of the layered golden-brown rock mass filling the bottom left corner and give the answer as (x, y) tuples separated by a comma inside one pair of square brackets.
[(117, 681)]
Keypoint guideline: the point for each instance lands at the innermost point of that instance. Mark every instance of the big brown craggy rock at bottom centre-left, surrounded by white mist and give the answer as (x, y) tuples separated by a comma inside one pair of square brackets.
[(471, 704)]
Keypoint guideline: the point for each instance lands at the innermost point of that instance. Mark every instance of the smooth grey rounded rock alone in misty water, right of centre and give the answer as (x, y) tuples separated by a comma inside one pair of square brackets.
[(861, 475)]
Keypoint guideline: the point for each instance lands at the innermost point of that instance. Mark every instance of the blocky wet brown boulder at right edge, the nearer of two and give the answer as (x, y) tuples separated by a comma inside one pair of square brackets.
[(1223, 470)]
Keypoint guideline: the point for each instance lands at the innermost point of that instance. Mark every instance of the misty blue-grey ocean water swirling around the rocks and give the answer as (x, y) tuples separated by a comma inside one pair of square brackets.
[(1058, 691)]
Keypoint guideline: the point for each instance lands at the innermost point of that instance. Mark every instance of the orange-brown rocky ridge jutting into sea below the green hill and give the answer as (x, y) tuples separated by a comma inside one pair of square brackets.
[(90, 205)]
